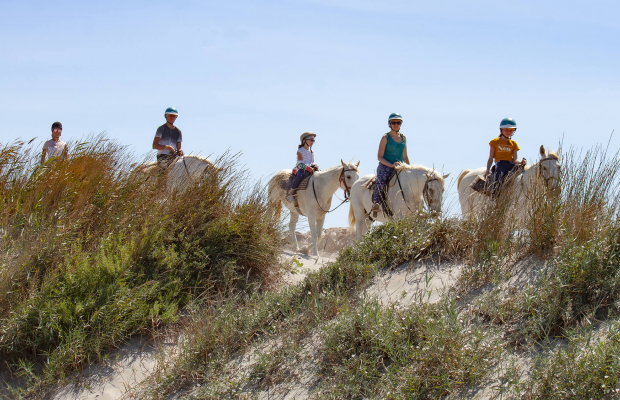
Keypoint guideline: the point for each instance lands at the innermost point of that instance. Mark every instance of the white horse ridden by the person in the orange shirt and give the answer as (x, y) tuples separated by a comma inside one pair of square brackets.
[(547, 171)]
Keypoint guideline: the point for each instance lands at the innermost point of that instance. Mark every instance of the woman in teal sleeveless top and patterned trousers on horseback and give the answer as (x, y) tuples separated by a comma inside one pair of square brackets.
[(392, 153)]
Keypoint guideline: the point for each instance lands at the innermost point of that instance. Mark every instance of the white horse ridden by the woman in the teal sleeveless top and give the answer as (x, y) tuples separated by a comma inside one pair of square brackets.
[(409, 189)]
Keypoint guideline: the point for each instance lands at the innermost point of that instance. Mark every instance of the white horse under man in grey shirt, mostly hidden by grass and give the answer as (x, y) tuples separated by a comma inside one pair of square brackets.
[(182, 170)]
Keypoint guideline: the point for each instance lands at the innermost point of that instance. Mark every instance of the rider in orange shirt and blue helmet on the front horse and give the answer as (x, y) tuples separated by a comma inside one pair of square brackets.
[(504, 152)]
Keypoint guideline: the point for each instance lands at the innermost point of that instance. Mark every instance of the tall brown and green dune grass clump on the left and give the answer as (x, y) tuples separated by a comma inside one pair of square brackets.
[(92, 253)]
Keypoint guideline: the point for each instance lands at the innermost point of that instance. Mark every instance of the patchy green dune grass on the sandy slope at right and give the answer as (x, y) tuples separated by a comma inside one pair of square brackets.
[(365, 350)]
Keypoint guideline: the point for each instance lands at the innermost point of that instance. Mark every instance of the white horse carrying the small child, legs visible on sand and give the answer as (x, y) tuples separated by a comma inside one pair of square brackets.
[(315, 201)]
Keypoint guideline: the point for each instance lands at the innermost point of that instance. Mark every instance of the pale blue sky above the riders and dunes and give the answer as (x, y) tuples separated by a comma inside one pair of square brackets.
[(252, 76)]
